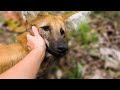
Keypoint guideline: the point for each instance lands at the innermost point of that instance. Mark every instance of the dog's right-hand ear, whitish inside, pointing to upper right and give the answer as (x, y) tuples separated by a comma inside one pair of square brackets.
[(74, 20)]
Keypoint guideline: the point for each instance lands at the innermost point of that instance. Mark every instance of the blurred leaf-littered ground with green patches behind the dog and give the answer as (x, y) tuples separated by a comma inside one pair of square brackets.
[(94, 47)]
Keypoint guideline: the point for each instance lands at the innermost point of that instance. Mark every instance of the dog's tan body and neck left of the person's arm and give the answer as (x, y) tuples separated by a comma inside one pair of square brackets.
[(13, 53)]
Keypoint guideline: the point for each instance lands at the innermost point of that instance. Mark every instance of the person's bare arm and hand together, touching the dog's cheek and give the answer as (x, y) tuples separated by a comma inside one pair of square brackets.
[(29, 66)]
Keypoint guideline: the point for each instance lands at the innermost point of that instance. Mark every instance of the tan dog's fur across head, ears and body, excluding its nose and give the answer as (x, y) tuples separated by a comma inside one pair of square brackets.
[(13, 53)]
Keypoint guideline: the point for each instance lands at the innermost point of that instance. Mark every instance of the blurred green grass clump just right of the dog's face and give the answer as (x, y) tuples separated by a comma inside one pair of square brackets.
[(84, 35)]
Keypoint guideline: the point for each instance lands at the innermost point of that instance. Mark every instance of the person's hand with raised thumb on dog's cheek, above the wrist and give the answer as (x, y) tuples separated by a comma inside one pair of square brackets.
[(36, 41)]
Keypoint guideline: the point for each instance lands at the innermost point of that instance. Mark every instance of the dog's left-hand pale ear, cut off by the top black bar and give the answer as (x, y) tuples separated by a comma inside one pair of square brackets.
[(30, 15)]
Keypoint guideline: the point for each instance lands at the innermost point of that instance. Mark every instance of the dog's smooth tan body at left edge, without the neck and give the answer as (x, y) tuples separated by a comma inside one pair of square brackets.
[(10, 55)]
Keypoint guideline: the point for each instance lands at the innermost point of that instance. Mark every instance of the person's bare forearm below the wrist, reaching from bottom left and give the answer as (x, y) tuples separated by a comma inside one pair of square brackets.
[(27, 68)]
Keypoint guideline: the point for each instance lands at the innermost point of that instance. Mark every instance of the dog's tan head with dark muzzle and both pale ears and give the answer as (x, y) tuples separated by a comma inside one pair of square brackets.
[(53, 28)]
